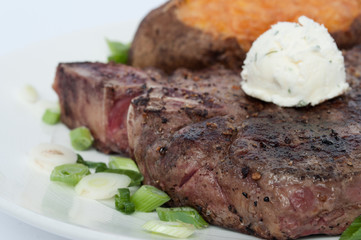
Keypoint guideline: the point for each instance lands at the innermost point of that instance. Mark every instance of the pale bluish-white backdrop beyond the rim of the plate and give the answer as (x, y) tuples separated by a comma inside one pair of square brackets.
[(24, 22)]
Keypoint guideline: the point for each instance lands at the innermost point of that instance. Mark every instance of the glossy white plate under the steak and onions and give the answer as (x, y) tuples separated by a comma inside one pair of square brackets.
[(29, 195)]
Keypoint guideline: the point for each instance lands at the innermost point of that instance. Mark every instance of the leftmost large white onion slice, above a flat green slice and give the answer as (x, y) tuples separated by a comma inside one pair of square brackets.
[(47, 156)]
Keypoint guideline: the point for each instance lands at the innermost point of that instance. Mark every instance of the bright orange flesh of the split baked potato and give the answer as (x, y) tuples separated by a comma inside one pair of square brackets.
[(247, 19)]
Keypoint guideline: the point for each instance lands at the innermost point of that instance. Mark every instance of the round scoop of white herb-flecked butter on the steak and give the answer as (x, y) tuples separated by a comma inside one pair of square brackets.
[(294, 64)]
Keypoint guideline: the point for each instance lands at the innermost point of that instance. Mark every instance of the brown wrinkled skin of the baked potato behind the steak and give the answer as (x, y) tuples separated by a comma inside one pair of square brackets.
[(165, 42)]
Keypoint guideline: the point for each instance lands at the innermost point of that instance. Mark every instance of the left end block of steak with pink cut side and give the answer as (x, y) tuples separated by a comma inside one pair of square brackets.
[(97, 96)]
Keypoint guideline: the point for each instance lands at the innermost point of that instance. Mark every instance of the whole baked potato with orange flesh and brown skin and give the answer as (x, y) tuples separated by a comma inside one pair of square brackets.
[(198, 33)]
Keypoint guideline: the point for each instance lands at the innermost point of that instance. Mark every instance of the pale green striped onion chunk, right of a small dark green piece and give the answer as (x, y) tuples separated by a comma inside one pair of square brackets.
[(148, 198)]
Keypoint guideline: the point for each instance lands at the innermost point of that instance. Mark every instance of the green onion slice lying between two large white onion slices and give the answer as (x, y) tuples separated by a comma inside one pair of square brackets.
[(70, 174)]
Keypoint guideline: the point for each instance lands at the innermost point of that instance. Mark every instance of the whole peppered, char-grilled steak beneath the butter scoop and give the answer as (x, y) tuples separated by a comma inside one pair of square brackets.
[(244, 164)]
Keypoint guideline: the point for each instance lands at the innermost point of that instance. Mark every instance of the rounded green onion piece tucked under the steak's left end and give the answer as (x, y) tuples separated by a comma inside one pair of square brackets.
[(81, 138)]
